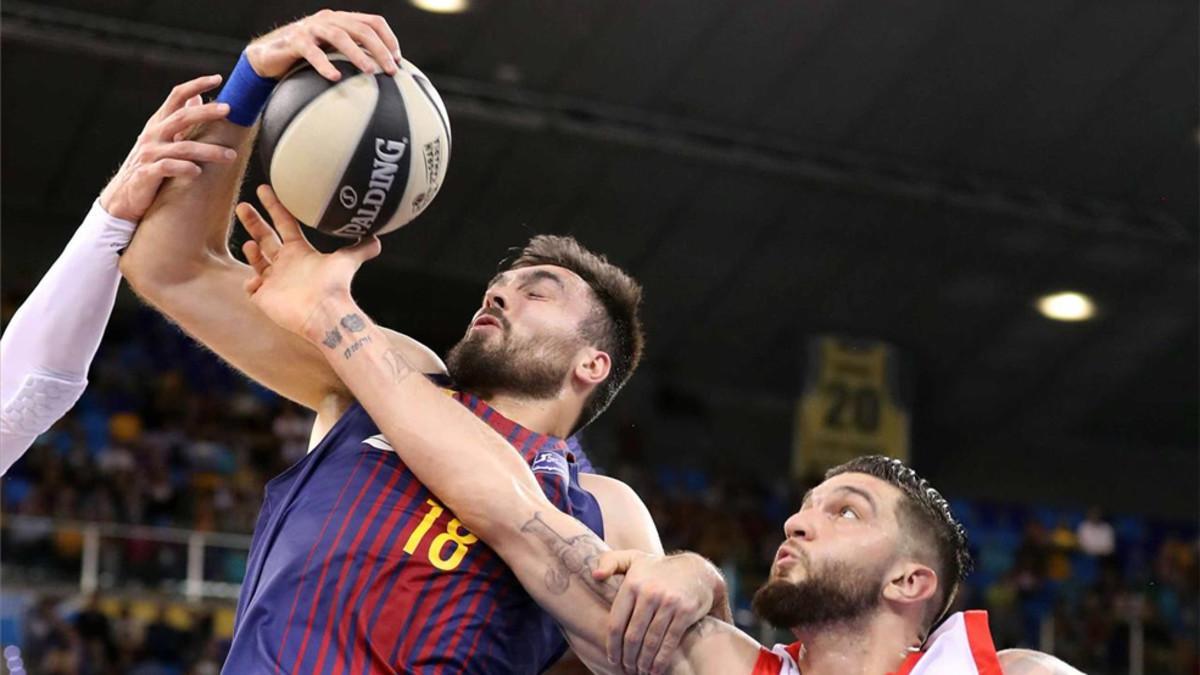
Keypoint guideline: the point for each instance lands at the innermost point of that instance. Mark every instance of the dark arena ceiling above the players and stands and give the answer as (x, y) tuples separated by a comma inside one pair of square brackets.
[(916, 171)]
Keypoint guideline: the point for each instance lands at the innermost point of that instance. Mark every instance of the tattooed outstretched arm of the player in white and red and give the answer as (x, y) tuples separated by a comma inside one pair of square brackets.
[(463, 461)]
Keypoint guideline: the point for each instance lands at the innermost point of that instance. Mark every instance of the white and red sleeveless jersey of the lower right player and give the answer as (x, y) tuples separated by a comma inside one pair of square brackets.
[(962, 646)]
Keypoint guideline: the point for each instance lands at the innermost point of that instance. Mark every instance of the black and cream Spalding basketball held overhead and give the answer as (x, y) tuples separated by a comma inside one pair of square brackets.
[(364, 156)]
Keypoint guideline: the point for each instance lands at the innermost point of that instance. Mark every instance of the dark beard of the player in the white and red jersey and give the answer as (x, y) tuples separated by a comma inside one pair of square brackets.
[(837, 593)]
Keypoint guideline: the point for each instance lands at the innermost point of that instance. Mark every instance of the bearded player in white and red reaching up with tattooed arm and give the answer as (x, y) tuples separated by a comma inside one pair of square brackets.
[(871, 563)]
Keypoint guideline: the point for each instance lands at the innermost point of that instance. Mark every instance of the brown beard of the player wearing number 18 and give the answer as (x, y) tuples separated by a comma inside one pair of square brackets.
[(530, 368)]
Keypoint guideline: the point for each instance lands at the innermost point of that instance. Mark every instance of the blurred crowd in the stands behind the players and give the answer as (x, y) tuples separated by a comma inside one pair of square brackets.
[(166, 437)]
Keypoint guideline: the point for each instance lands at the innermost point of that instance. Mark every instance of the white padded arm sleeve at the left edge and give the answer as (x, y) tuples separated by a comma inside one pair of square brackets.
[(49, 347)]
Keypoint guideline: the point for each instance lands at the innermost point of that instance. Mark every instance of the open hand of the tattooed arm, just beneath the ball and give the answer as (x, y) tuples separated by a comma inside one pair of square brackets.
[(292, 279)]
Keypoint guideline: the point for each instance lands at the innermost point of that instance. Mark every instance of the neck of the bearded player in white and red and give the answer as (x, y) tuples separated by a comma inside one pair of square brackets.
[(872, 647)]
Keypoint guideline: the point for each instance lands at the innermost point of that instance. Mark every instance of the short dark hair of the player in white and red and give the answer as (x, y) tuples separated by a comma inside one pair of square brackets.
[(926, 516)]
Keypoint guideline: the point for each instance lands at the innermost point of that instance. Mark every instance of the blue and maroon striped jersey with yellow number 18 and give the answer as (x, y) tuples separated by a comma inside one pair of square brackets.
[(356, 568)]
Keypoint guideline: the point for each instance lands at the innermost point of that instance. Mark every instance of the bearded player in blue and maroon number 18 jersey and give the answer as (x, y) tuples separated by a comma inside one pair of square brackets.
[(355, 565)]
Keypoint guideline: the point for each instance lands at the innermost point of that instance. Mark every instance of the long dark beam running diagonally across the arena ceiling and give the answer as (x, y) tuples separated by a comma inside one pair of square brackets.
[(523, 110)]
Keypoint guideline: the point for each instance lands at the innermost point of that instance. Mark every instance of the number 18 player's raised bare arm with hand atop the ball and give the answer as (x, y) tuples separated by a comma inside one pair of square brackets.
[(181, 261)]
